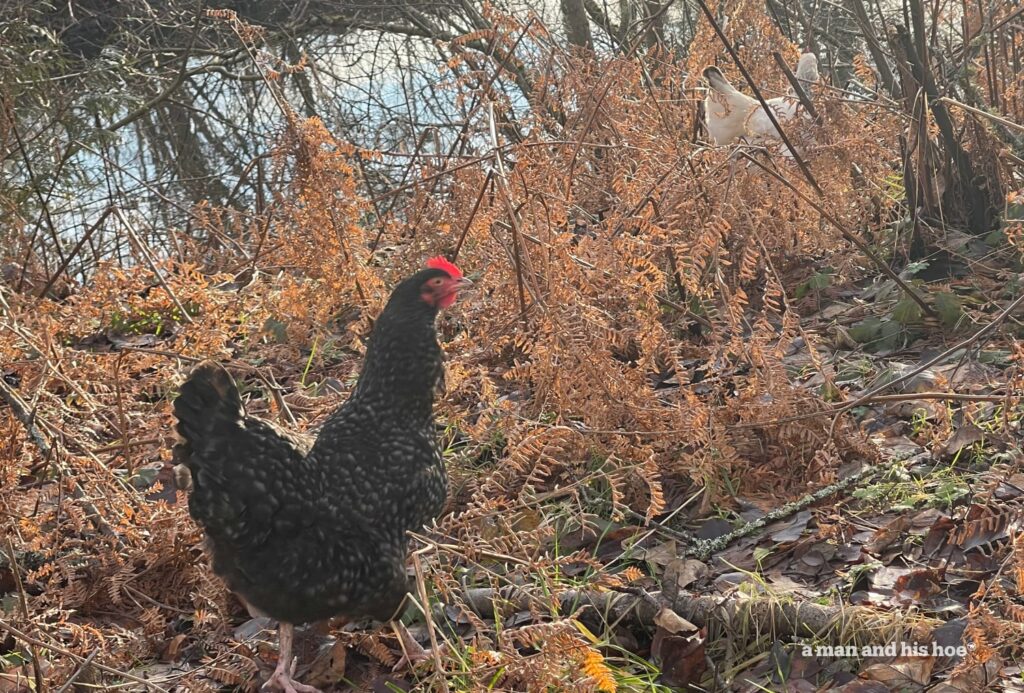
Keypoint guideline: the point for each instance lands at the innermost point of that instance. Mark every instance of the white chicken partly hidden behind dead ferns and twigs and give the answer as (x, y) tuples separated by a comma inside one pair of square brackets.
[(732, 115)]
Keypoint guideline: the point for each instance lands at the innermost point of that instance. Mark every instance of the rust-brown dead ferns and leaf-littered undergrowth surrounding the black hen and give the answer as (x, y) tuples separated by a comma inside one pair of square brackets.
[(667, 340)]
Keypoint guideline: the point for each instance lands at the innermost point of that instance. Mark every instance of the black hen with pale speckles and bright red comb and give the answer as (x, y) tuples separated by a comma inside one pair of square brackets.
[(304, 534)]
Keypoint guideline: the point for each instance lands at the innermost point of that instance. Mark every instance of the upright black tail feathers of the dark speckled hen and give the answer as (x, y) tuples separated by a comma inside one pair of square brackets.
[(209, 400)]
